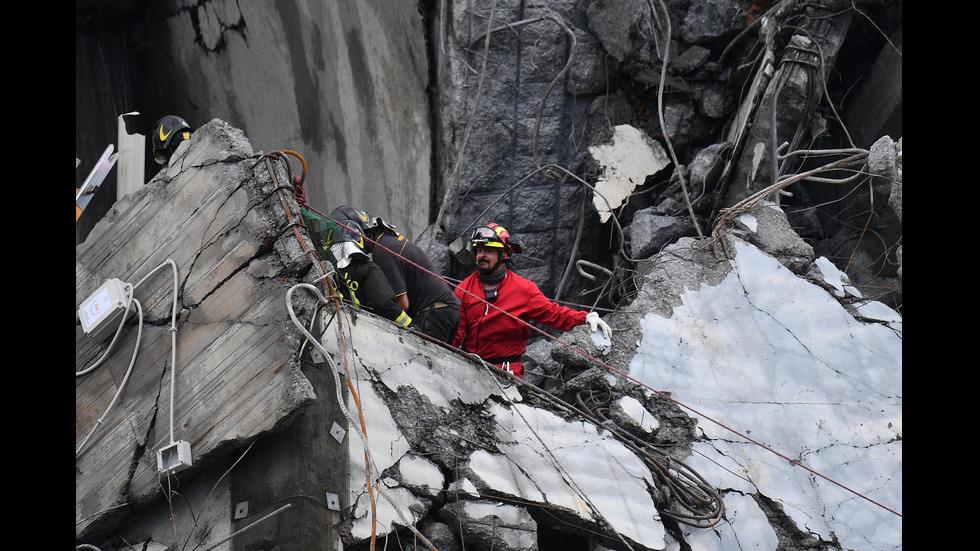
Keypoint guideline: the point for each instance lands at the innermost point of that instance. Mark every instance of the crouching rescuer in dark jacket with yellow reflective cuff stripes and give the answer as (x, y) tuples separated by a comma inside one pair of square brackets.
[(362, 282)]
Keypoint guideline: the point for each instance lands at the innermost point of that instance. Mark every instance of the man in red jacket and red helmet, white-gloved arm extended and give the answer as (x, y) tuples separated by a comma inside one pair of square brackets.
[(493, 296)]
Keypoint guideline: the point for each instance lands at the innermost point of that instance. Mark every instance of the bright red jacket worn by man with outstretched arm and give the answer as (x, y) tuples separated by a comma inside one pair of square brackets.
[(490, 333)]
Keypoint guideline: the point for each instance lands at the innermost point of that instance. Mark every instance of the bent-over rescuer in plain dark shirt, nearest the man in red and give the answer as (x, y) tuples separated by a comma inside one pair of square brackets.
[(426, 297)]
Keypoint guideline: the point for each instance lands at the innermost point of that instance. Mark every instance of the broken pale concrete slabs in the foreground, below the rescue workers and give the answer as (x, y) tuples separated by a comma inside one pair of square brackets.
[(382, 433)]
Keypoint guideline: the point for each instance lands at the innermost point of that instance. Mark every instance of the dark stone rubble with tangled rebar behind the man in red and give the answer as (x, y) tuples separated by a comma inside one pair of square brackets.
[(668, 137)]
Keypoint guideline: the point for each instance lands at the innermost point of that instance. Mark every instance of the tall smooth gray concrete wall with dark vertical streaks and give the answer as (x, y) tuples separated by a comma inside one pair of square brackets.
[(342, 83)]
